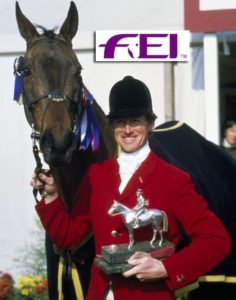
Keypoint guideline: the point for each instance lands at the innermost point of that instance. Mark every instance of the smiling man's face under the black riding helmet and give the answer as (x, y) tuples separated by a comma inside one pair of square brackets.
[(131, 133)]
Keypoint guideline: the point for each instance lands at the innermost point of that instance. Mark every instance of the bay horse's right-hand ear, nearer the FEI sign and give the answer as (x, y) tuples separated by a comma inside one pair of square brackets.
[(70, 25)]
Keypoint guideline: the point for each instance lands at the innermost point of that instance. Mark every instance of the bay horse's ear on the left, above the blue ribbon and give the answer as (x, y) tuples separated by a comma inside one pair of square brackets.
[(26, 28)]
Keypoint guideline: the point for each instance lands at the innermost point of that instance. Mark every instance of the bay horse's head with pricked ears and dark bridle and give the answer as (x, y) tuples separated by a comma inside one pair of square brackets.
[(52, 85)]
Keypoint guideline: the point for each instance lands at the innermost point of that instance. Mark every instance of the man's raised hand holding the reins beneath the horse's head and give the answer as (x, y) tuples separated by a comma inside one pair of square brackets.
[(47, 183)]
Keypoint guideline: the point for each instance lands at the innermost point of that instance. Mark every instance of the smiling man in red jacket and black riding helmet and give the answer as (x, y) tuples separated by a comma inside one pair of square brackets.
[(166, 188)]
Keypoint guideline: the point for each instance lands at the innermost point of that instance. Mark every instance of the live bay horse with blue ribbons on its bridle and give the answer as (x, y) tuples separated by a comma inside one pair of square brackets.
[(70, 127)]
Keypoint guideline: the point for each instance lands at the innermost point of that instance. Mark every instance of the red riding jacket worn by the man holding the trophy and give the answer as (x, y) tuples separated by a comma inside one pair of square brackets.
[(166, 188)]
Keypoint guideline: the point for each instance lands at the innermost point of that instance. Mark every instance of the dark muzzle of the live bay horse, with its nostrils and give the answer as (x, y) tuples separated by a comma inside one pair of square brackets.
[(57, 151)]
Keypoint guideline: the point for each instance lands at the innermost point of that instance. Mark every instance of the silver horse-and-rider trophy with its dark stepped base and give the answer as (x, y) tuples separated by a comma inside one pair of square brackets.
[(114, 257)]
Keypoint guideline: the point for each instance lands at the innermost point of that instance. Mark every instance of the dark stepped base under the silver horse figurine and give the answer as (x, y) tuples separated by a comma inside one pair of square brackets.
[(114, 257)]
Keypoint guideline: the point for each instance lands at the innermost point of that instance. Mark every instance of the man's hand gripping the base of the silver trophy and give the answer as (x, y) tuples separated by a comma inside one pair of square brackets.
[(146, 268)]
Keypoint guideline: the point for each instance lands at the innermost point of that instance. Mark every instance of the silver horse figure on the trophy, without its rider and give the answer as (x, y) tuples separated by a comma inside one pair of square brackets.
[(154, 217)]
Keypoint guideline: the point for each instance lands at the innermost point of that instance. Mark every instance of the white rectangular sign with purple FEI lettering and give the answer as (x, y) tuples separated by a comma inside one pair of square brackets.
[(142, 46)]
